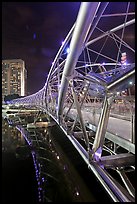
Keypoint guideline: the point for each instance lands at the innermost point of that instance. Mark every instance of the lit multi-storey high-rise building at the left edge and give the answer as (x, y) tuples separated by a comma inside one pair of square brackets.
[(14, 77)]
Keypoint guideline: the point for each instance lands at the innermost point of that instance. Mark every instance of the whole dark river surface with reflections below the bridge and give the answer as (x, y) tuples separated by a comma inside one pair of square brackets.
[(40, 166)]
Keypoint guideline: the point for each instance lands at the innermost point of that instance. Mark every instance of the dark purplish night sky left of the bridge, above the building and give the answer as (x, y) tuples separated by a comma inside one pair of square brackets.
[(33, 32)]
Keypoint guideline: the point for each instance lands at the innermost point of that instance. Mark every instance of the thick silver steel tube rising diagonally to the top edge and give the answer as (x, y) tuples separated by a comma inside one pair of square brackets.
[(84, 21)]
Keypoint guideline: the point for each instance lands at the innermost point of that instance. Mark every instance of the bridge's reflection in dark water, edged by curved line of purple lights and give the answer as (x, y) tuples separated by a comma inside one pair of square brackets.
[(57, 178)]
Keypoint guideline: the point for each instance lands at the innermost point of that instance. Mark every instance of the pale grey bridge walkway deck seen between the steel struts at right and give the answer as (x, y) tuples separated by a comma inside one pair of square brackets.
[(118, 130)]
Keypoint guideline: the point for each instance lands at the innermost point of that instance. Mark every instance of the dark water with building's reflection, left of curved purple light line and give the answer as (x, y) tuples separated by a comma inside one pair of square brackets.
[(17, 167)]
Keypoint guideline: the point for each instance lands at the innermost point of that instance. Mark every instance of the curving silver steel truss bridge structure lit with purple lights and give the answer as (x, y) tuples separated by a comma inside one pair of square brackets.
[(87, 73)]
